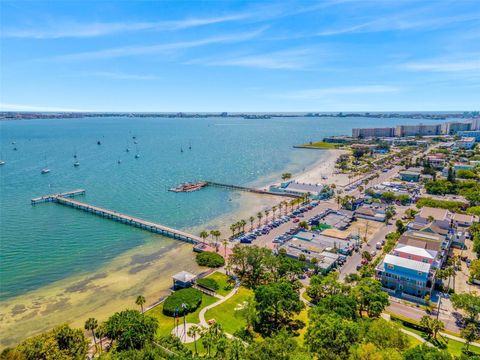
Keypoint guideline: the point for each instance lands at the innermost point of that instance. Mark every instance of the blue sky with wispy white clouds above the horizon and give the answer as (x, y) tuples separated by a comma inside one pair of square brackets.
[(332, 55)]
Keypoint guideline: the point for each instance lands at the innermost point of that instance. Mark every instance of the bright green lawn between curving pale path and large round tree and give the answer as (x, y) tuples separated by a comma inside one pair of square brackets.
[(226, 315)]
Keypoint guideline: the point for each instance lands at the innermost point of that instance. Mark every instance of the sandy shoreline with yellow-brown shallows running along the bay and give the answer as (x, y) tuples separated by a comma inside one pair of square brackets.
[(144, 269)]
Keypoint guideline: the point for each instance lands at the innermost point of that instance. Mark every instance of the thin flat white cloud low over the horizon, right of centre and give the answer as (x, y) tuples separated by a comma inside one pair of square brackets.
[(320, 93)]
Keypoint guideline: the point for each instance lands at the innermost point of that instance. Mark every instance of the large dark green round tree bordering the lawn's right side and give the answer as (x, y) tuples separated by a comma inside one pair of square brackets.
[(276, 304)]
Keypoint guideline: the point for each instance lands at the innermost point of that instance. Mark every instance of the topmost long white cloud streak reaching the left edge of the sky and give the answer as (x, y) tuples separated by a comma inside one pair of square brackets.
[(77, 30)]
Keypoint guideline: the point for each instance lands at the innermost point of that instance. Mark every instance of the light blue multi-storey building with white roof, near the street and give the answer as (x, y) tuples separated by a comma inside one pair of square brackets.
[(406, 276)]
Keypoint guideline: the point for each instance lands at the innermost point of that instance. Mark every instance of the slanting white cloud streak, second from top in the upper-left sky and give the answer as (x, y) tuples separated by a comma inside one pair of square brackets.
[(126, 51)]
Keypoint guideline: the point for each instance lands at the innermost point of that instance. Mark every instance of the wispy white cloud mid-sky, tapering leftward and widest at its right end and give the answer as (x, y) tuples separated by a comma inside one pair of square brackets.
[(286, 60)]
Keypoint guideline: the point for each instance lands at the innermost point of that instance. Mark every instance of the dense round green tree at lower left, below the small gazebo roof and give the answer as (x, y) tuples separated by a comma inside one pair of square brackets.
[(130, 329)]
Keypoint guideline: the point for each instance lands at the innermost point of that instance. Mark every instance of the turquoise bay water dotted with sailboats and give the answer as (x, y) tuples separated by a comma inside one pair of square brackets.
[(45, 243)]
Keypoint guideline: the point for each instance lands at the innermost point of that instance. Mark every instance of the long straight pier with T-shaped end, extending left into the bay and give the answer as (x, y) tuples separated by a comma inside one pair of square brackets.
[(65, 199)]
